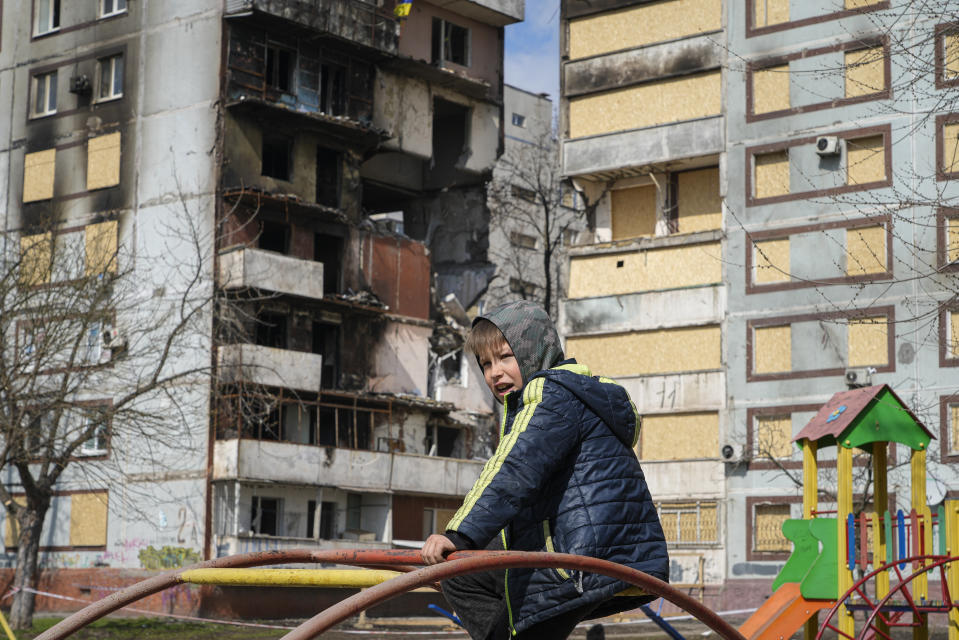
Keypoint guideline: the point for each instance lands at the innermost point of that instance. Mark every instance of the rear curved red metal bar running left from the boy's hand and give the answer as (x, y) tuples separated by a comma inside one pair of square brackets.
[(396, 558)]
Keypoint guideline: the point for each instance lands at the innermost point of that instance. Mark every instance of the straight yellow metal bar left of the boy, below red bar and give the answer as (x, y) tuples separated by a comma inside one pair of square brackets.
[(346, 578)]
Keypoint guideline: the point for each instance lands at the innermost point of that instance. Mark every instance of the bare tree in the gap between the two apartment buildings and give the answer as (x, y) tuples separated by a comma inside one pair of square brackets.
[(533, 219)]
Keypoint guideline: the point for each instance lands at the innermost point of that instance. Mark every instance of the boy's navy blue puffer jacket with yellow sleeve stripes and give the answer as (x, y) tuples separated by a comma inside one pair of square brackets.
[(565, 478)]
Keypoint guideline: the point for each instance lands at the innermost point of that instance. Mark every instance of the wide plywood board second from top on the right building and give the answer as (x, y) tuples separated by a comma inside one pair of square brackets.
[(645, 105)]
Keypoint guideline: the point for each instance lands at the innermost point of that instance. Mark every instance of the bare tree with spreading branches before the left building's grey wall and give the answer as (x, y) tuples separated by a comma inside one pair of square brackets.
[(105, 364)]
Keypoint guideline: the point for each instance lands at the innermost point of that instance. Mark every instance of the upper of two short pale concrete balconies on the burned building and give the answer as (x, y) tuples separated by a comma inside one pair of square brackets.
[(248, 268)]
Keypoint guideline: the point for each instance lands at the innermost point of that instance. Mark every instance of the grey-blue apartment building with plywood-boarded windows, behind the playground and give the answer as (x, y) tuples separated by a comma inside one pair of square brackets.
[(752, 253)]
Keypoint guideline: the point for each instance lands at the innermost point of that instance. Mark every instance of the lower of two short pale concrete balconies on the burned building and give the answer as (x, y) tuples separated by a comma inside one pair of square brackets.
[(270, 367)]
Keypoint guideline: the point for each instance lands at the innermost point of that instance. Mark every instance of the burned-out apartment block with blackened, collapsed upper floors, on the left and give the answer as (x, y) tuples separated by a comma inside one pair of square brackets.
[(333, 159)]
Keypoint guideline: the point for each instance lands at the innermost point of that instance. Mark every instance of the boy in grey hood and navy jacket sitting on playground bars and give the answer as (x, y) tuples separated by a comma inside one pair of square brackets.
[(564, 478)]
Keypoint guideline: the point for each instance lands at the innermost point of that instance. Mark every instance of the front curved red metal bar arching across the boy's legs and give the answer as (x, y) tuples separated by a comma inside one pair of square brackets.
[(464, 562)]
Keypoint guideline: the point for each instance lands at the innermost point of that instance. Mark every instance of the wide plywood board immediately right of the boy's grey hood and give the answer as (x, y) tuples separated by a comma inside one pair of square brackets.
[(650, 352)]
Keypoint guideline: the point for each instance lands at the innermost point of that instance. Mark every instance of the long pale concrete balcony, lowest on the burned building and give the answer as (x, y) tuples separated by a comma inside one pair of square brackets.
[(269, 461)]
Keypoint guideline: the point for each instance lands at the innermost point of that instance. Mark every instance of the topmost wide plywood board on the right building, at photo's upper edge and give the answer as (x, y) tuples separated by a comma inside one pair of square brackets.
[(642, 25)]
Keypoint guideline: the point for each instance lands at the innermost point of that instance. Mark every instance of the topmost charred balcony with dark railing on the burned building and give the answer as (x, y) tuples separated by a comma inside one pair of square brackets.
[(360, 22)]
